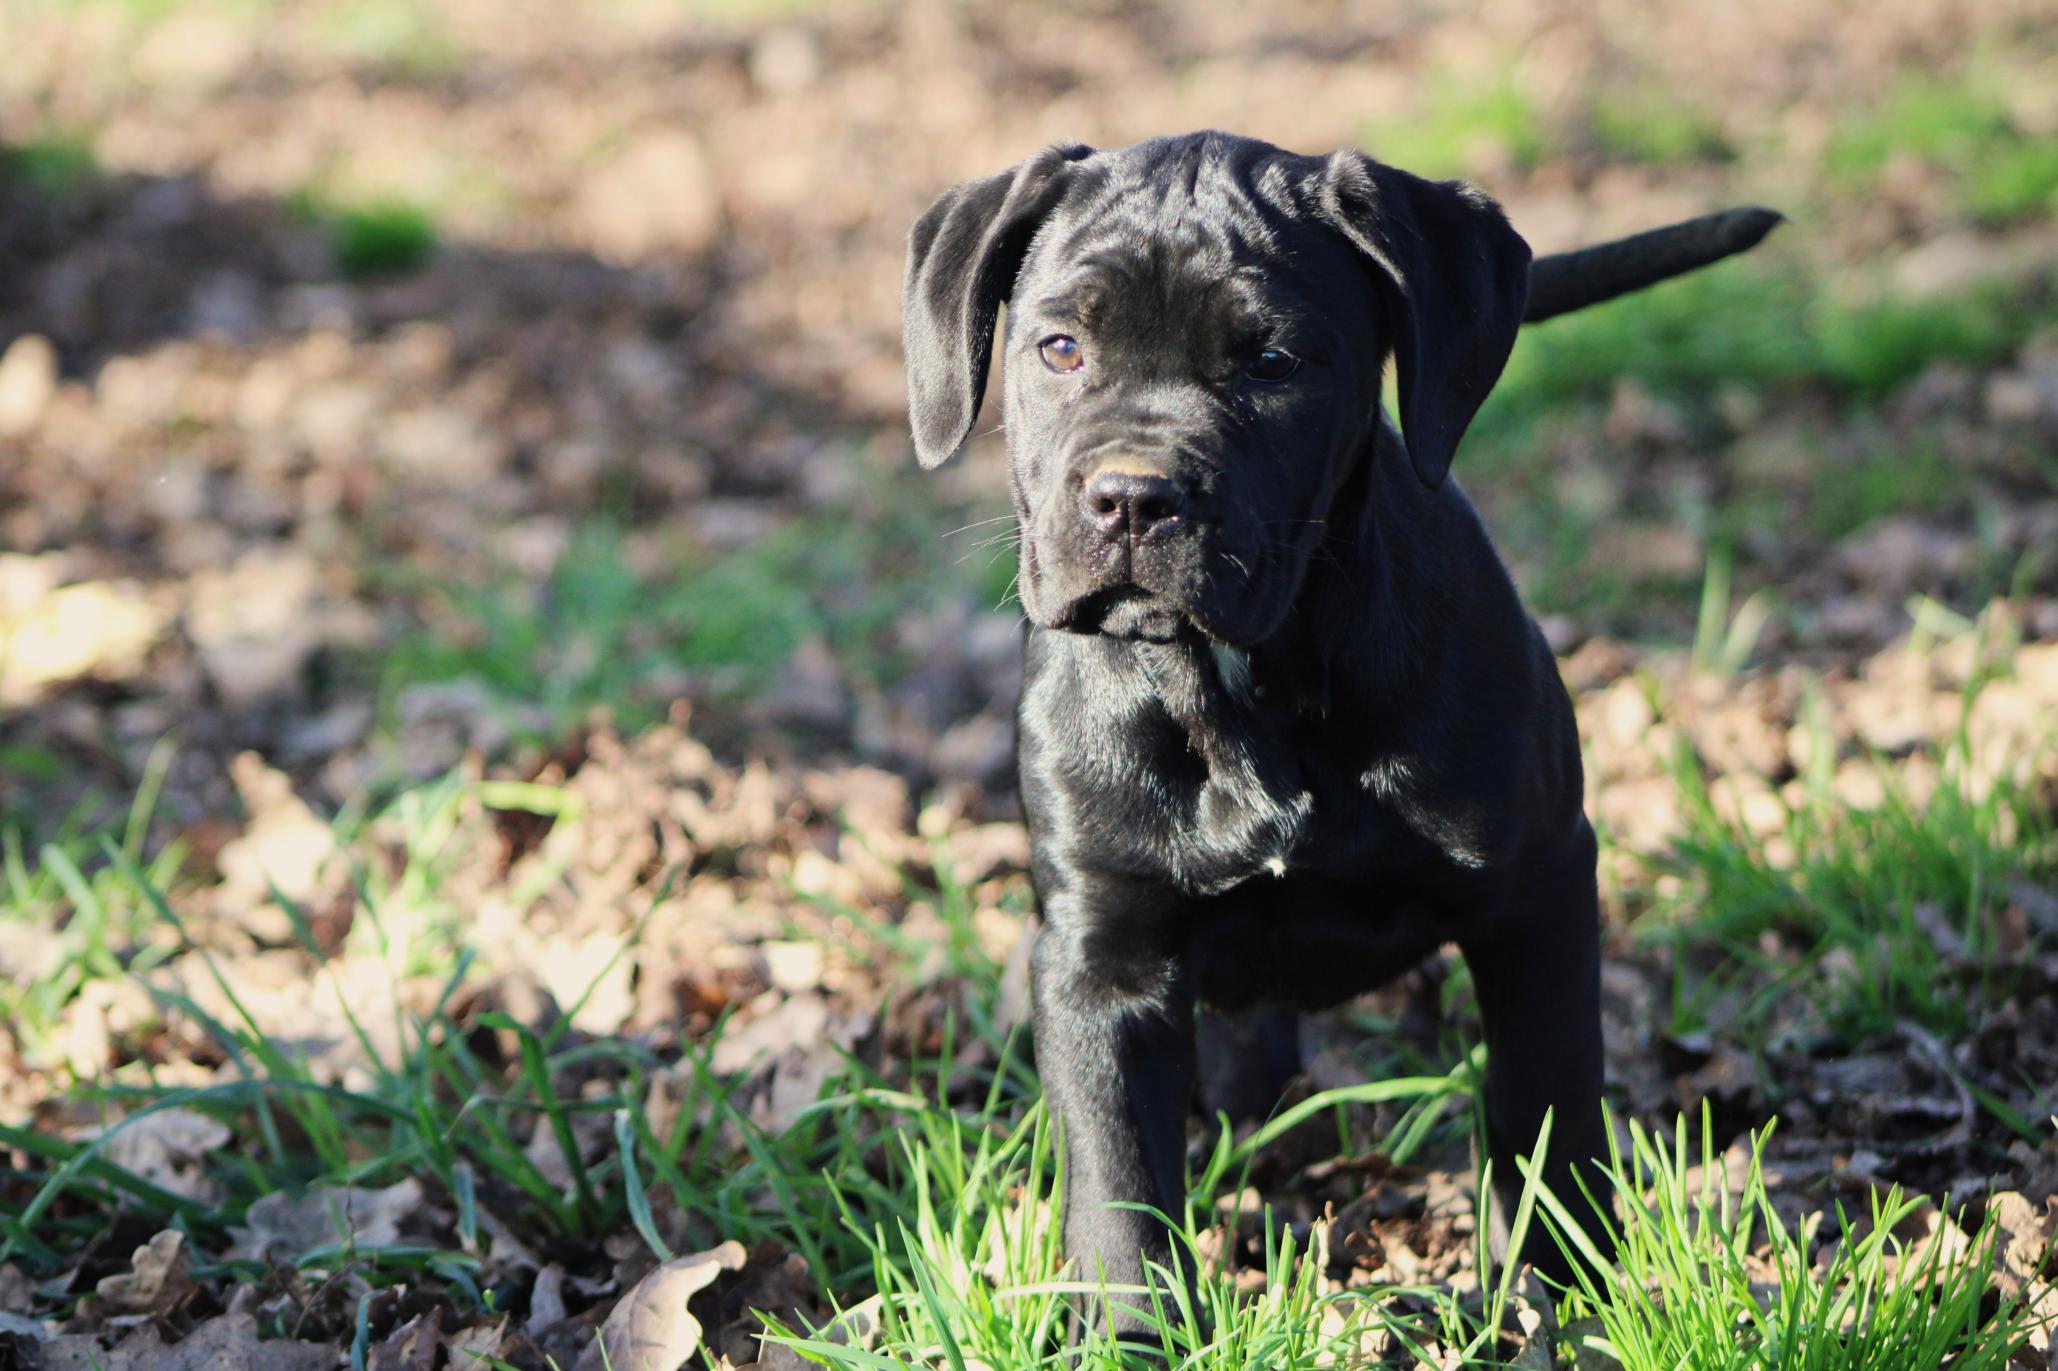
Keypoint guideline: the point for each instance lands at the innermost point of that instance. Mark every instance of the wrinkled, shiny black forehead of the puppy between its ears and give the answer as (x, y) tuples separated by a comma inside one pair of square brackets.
[(1193, 227)]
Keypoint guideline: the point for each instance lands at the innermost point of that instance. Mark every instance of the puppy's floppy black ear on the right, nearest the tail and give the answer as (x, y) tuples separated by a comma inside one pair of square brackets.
[(1456, 279)]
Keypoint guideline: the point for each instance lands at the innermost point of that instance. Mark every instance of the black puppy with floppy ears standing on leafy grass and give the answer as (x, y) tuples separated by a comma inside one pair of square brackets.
[(1285, 724)]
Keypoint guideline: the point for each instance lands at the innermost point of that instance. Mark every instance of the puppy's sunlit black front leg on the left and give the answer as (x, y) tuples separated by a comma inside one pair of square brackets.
[(1114, 1041)]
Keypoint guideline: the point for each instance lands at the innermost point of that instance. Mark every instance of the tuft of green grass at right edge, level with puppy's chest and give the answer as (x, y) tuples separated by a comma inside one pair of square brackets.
[(1853, 897)]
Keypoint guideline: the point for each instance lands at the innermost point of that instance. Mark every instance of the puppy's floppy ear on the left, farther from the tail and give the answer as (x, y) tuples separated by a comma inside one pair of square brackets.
[(962, 262)]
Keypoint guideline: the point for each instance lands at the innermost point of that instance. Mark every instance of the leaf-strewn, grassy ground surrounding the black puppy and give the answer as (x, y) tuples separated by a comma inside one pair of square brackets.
[(505, 820)]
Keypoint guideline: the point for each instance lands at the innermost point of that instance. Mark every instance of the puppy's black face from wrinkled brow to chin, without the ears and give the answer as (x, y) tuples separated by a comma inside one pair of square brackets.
[(1174, 265)]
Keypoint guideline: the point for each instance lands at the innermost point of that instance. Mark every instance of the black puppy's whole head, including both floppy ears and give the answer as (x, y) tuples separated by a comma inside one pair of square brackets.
[(1195, 341)]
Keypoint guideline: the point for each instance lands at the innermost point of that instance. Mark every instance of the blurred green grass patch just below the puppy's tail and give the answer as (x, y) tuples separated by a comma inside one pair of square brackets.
[(1773, 337)]
